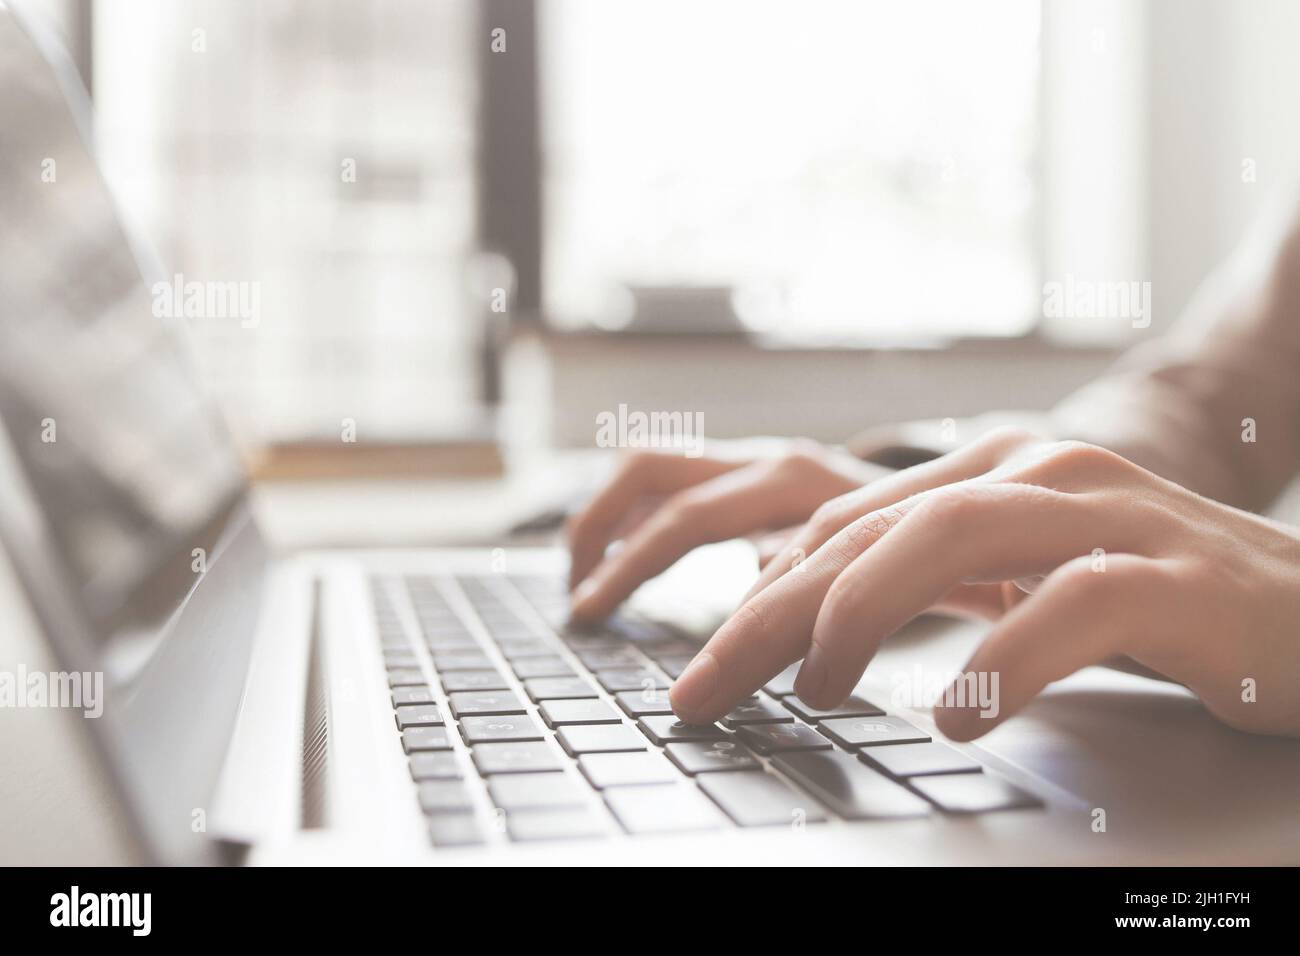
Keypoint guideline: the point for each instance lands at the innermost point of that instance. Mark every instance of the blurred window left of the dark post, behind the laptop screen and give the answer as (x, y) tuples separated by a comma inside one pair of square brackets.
[(326, 153)]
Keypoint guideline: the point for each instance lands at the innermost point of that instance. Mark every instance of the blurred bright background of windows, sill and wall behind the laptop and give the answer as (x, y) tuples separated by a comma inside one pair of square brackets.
[(482, 223)]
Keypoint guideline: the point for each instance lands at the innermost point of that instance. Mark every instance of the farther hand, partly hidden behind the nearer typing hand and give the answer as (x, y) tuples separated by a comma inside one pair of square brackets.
[(665, 505)]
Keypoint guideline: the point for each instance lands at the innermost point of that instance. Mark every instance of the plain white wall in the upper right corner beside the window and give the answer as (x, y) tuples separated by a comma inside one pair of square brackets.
[(1224, 83)]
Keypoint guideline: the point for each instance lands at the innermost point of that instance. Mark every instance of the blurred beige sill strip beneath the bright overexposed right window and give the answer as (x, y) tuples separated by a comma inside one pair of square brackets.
[(558, 383)]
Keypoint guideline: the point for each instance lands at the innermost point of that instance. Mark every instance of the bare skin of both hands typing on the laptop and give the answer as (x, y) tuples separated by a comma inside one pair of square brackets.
[(1120, 563)]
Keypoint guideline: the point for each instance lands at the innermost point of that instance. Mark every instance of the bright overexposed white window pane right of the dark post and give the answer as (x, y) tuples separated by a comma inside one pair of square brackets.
[(851, 170)]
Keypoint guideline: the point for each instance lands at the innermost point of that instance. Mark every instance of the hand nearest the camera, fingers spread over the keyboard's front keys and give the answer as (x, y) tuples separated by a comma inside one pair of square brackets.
[(1130, 564)]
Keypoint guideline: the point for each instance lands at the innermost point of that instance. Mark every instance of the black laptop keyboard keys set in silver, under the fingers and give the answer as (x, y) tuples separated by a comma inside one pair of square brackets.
[(519, 729)]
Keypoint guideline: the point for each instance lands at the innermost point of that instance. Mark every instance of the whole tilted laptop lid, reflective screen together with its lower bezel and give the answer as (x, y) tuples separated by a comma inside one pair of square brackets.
[(123, 509)]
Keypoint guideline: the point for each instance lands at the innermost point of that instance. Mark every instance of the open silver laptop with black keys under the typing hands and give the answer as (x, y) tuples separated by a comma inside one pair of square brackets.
[(211, 703)]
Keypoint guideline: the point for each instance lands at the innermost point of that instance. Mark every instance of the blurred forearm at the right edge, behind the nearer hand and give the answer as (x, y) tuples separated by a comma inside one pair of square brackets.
[(1216, 405)]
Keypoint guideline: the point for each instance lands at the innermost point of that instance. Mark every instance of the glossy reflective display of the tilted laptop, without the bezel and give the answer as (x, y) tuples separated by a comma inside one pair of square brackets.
[(131, 468)]
